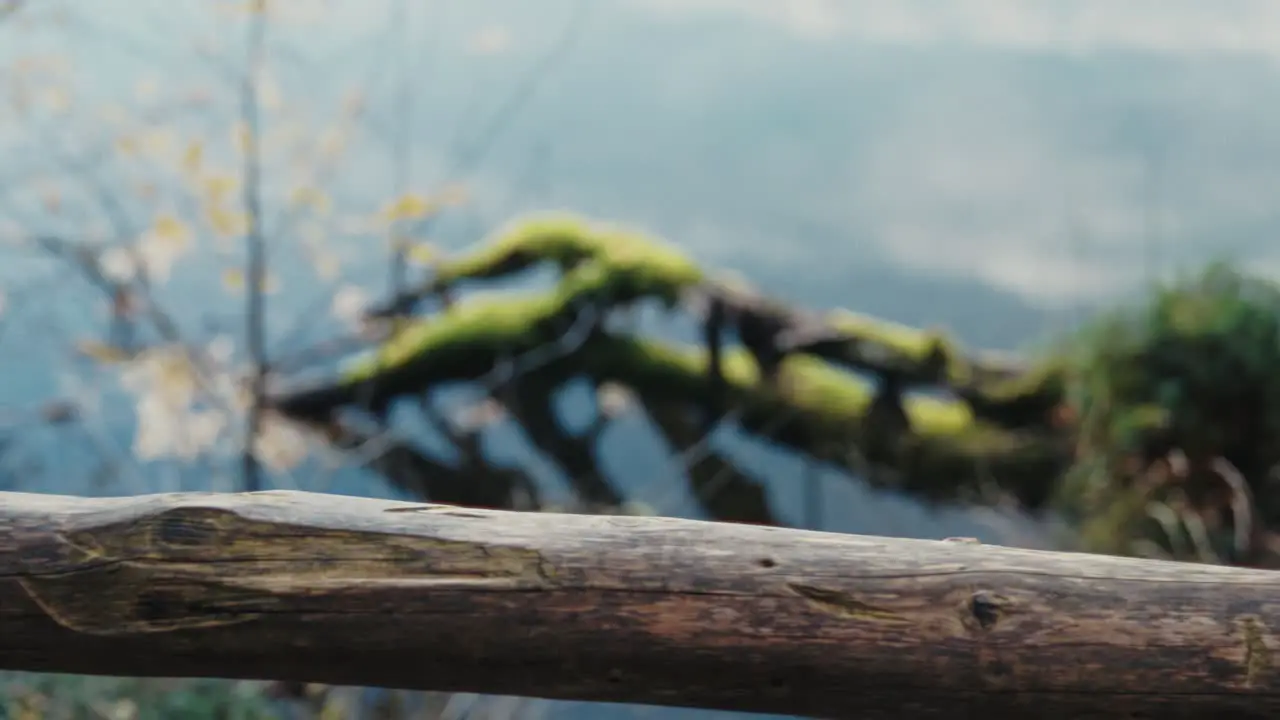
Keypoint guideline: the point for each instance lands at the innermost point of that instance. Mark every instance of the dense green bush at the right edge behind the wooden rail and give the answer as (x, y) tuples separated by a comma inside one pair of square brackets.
[(1177, 405)]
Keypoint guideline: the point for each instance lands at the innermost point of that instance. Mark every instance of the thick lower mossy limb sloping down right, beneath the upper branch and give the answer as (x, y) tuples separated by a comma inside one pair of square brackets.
[(821, 412)]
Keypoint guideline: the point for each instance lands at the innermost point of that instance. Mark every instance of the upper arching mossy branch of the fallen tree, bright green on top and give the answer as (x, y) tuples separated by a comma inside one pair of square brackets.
[(621, 266)]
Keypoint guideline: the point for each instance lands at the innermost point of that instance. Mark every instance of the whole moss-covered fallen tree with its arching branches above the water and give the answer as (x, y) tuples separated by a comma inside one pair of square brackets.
[(781, 377)]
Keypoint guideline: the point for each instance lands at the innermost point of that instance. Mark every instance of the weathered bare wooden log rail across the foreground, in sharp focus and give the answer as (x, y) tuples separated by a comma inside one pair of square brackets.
[(355, 591)]
